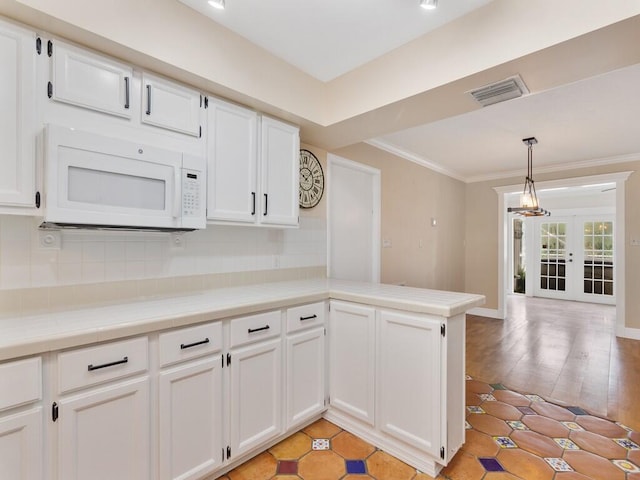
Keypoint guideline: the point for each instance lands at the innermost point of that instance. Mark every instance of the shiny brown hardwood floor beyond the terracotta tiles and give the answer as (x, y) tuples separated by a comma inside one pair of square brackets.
[(567, 352)]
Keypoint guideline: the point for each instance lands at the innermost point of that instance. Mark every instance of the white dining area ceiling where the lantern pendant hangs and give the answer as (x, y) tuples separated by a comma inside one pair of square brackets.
[(587, 122)]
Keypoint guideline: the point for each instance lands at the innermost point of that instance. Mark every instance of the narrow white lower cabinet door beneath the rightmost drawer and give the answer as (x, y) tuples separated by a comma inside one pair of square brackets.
[(305, 376)]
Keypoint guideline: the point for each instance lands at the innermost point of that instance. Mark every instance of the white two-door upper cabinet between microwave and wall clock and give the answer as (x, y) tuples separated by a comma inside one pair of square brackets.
[(250, 183)]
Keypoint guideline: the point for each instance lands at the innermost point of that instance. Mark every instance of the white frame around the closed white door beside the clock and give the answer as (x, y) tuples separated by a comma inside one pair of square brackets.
[(375, 228)]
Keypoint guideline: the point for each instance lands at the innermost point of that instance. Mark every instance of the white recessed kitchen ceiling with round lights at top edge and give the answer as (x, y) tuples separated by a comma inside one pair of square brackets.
[(327, 38)]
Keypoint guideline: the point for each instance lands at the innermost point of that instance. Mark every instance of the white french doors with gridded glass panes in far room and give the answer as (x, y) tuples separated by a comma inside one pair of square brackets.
[(575, 259)]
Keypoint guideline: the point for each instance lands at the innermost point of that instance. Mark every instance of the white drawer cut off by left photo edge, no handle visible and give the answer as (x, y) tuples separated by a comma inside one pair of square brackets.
[(20, 382)]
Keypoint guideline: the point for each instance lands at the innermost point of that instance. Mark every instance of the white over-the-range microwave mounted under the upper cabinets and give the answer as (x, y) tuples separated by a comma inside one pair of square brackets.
[(96, 181)]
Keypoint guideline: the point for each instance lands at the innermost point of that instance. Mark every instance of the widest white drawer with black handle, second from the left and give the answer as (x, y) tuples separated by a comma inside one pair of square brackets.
[(93, 365)]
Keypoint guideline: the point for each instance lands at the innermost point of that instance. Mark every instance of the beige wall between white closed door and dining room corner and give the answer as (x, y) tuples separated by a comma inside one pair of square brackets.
[(411, 196)]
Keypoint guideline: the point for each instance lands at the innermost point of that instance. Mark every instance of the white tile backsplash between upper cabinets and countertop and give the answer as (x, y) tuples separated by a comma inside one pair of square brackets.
[(95, 257)]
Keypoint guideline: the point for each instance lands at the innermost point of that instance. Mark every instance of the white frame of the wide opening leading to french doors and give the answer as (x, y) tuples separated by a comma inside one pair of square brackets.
[(619, 178)]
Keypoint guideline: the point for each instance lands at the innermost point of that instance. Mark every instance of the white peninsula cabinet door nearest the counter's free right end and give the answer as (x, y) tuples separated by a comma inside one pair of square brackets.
[(409, 377)]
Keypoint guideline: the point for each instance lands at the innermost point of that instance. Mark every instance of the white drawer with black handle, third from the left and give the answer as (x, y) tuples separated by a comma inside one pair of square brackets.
[(190, 342)]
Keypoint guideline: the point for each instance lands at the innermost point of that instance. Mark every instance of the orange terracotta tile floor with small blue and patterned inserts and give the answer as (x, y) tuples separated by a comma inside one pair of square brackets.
[(510, 436)]
